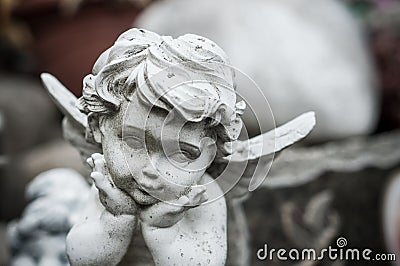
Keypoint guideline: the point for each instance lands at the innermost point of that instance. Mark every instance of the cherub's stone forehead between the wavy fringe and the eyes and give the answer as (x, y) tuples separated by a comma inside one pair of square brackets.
[(139, 118)]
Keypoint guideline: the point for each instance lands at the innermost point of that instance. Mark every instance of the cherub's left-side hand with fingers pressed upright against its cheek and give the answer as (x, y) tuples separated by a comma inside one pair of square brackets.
[(114, 199)]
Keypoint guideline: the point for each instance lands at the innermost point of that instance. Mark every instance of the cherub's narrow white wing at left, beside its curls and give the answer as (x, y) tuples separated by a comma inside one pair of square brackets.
[(75, 123)]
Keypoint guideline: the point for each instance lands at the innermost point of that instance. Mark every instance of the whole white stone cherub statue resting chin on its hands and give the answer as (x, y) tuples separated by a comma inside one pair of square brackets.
[(158, 123)]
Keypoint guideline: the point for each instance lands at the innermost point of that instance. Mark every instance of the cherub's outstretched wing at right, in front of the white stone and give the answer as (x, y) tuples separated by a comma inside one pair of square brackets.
[(247, 167)]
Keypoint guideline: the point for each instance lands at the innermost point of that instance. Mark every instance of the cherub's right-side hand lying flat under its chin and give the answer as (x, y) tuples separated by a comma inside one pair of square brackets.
[(167, 214)]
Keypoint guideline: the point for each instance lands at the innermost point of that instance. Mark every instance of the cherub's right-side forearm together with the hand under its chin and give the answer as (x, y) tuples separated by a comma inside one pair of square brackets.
[(187, 233)]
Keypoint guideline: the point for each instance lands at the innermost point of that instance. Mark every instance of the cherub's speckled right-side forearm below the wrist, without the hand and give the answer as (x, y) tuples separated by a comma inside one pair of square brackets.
[(200, 237)]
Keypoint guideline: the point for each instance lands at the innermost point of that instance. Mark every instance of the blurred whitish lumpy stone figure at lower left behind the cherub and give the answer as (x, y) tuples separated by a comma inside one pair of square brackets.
[(55, 198)]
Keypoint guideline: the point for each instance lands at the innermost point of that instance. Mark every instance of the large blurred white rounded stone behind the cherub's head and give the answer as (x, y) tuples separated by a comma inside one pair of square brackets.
[(305, 55)]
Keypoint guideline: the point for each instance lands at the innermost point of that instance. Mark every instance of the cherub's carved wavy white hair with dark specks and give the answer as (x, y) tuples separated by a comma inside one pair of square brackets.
[(190, 74)]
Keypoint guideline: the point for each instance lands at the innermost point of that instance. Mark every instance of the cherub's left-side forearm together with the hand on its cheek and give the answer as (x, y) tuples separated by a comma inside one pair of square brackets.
[(103, 232)]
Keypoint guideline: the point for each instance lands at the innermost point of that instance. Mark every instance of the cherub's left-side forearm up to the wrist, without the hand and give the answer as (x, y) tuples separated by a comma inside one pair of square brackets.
[(99, 237)]
